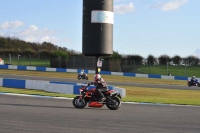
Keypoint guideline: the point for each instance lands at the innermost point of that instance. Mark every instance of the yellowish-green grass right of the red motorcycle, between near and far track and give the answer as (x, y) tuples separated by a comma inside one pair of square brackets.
[(165, 96)]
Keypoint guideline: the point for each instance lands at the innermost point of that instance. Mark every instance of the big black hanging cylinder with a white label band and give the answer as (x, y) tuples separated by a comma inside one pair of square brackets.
[(97, 31)]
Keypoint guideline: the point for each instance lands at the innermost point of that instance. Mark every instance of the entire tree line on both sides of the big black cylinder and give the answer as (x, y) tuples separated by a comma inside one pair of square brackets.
[(14, 46)]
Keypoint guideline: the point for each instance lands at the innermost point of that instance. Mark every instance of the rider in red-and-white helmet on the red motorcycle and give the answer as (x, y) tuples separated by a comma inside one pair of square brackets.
[(100, 86)]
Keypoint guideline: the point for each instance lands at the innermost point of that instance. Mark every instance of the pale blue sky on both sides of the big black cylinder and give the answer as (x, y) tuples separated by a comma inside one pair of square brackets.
[(141, 27)]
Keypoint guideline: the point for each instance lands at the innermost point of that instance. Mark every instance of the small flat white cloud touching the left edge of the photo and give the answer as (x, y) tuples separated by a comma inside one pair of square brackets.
[(11, 25)]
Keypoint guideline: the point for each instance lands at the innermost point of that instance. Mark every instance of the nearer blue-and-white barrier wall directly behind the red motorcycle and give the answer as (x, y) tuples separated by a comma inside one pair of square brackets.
[(66, 88)]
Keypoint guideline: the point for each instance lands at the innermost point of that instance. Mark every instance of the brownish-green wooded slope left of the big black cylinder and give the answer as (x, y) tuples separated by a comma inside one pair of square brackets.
[(14, 46)]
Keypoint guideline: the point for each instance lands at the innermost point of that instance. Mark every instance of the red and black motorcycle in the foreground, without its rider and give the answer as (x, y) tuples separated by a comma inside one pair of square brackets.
[(92, 97)]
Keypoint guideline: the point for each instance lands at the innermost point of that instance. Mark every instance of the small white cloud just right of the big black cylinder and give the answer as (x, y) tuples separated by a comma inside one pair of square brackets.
[(122, 9)]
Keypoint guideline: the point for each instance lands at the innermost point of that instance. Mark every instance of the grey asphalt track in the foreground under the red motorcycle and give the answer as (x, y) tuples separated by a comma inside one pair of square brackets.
[(21, 114)]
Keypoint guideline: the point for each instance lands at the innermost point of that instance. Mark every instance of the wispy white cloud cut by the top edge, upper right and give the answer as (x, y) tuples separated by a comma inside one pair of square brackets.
[(171, 5)]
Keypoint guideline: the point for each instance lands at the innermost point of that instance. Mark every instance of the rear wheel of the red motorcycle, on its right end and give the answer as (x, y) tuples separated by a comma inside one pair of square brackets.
[(113, 103)]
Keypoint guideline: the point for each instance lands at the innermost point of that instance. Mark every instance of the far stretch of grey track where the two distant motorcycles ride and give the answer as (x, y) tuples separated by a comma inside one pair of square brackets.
[(109, 83)]
